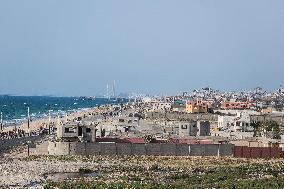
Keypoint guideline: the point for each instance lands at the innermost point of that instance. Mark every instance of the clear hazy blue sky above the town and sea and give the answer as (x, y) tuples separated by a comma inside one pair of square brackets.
[(71, 47)]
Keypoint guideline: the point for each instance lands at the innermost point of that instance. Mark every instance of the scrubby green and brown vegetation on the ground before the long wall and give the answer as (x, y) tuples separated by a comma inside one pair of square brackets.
[(180, 173)]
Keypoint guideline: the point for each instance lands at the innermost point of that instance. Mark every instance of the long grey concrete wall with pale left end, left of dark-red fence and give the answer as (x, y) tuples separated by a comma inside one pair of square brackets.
[(157, 149)]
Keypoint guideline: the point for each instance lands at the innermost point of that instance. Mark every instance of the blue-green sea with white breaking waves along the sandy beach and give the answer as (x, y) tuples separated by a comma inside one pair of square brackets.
[(15, 108)]
